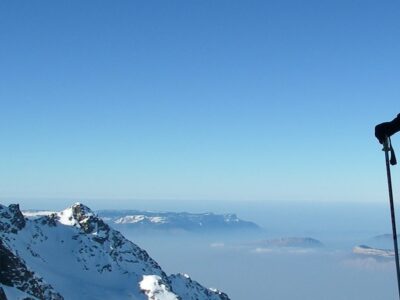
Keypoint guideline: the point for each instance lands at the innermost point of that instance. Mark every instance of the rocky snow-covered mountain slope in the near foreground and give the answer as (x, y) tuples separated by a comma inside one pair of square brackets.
[(74, 254)]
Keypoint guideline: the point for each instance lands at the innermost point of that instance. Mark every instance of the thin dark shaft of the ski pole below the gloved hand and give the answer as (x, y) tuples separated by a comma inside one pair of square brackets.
[(386, 148)]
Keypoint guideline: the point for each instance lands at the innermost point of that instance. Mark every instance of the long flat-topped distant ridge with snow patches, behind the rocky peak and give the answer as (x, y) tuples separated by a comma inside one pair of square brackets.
[(191, 222)]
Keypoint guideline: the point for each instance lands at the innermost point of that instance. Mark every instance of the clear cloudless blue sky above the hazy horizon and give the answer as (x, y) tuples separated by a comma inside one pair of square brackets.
[(197, 100)]
